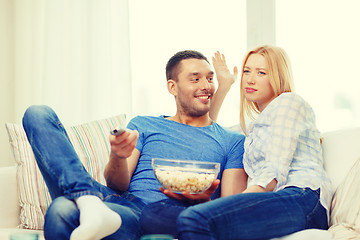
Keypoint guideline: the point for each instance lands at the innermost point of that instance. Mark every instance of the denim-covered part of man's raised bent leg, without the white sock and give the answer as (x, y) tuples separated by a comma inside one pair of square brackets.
[(58, 162)]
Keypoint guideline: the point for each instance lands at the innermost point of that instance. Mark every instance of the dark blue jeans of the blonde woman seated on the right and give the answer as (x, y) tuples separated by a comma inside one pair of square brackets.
[(254, 215)]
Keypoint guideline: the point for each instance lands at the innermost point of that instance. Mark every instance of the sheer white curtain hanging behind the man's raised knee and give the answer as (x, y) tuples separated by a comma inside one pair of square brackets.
[(72, 56)]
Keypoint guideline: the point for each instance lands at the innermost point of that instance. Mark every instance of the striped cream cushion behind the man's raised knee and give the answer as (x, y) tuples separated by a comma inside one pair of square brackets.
[(90, 141)]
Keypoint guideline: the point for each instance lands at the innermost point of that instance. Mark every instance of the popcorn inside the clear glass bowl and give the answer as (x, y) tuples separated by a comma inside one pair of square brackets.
[(178, 181)]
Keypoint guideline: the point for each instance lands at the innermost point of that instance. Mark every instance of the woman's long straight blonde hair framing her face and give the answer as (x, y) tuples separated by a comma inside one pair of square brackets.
[(280, 75)]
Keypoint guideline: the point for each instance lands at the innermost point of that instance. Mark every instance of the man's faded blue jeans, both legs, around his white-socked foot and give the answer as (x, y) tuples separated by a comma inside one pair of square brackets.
[(67, 179)]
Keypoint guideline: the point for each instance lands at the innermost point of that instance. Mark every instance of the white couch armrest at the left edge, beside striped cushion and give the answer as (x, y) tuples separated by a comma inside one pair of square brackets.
[(9, 200)]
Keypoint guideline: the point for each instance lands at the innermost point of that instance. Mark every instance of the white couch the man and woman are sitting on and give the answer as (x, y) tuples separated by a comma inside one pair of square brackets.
[(340, 148)]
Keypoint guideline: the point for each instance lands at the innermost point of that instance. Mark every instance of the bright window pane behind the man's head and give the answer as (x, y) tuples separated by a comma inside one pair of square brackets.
[(160, 28)]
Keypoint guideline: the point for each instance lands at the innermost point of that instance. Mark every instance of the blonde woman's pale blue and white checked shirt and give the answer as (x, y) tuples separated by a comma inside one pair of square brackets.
[(284, 143)]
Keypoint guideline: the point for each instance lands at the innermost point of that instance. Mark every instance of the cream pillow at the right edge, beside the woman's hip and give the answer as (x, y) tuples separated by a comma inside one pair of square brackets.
[(345, 206)]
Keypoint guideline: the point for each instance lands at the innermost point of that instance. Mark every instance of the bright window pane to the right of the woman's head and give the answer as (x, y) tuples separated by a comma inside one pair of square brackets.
[(322, 41)]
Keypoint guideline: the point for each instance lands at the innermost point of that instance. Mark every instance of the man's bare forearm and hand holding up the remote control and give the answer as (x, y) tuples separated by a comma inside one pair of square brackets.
[(123, 160)]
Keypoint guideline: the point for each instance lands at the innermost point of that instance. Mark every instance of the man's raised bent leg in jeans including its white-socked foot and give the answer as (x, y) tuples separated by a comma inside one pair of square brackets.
[(65, 175)]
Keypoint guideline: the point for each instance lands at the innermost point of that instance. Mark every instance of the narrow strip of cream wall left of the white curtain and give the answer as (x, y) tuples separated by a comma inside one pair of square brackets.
[(6, 78)]
